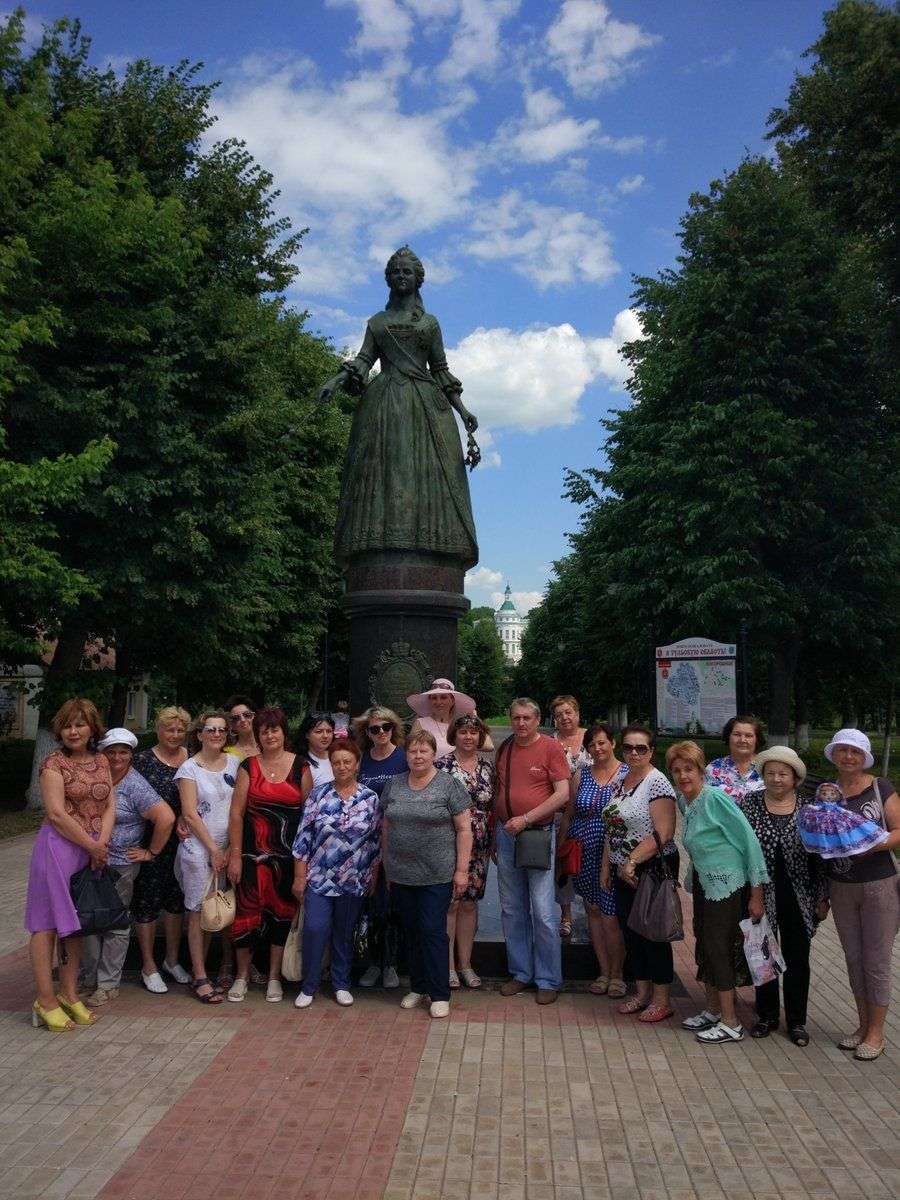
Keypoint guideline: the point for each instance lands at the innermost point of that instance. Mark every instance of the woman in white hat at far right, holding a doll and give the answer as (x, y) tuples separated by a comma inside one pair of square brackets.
[(866, 892)]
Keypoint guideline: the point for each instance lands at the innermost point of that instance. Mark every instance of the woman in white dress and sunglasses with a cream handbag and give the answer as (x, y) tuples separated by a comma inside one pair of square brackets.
[(206, 784)]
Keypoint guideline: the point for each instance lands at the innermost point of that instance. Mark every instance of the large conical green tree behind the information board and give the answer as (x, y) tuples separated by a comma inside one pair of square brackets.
[(753, 476)]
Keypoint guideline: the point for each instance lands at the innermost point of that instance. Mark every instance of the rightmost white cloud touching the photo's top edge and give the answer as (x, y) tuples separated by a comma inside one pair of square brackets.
[(592, 49)]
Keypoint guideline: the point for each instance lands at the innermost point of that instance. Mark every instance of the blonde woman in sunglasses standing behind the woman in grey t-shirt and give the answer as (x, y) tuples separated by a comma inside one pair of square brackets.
[(380, 735)]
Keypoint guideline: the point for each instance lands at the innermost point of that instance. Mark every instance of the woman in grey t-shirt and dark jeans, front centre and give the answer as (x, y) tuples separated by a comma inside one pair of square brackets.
[(428, 847)]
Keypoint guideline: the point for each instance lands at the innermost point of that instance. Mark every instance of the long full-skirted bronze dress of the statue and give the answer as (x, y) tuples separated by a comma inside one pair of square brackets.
[(405, 484)]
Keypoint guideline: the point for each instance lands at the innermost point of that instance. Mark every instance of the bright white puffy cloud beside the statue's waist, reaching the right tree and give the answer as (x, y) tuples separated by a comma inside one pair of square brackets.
[(535, 380)]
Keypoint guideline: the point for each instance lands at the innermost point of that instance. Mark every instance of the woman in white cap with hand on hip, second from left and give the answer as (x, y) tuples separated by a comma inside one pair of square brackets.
[(136, 805)]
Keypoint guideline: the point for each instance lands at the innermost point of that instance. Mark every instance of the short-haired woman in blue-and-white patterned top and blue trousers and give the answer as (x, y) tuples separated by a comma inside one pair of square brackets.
[(337, 854)]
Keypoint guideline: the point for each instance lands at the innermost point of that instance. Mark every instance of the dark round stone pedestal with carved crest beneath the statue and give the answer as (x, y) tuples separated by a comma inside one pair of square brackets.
[(404, 611)]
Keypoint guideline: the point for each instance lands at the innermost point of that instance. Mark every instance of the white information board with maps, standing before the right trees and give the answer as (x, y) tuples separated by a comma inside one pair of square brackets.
[(697, 686)]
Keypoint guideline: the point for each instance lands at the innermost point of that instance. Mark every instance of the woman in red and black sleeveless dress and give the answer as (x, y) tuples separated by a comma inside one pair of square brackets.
[(266, 814)]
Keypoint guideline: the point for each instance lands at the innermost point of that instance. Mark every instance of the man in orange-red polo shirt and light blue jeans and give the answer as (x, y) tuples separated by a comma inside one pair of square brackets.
[(537, 772)]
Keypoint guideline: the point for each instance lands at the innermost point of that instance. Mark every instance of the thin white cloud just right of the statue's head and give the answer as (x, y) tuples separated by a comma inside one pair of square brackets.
[(549, 245)]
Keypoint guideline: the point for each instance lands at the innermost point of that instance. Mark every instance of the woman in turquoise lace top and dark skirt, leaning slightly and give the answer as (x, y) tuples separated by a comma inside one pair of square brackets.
[(729, 873)]
